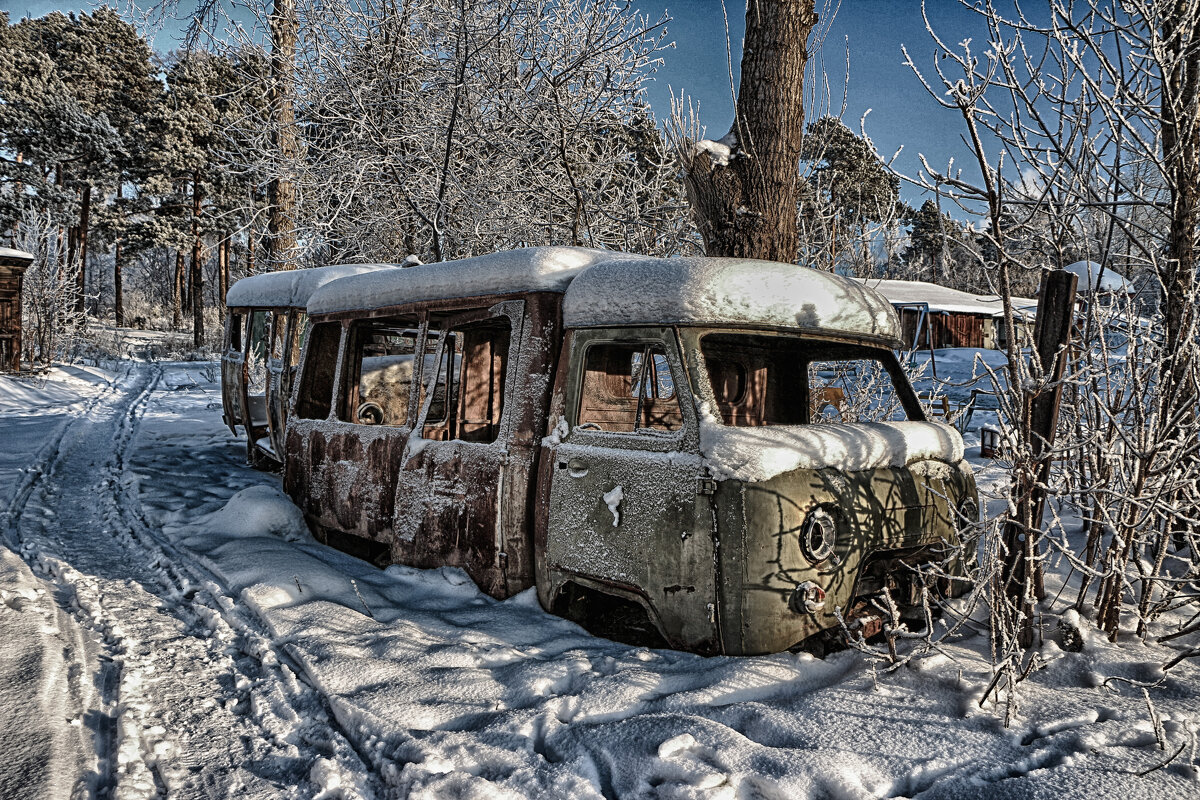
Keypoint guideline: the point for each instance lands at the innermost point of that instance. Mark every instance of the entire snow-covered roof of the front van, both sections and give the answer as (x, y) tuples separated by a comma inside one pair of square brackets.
[(610, 288)]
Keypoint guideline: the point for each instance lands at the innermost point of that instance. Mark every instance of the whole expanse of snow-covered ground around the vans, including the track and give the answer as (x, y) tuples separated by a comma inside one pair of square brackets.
[(173, 631)]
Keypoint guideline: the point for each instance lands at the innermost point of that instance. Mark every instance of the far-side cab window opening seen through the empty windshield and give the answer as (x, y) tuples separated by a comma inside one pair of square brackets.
[(853, 390)]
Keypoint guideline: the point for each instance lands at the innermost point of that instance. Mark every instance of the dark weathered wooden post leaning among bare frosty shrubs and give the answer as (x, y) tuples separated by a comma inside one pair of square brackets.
[(1022, 575)]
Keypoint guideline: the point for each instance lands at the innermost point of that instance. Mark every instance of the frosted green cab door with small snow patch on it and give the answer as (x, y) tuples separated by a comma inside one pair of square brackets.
[(628, 512)]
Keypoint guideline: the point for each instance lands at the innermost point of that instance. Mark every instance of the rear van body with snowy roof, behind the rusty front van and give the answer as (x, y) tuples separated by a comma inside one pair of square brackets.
[(263, 338)]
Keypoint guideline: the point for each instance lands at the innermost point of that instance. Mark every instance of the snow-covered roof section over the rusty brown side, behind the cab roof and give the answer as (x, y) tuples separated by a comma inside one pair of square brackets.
[(530, 269)]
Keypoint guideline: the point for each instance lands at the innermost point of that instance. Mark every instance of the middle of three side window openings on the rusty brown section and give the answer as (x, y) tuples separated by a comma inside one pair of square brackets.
[(380, 374)]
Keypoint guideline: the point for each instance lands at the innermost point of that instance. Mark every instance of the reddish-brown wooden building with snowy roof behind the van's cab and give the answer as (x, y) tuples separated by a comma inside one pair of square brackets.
[(935, 317)]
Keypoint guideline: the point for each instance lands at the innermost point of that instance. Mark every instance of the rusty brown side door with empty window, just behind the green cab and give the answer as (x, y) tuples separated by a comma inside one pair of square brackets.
[(464, 492)]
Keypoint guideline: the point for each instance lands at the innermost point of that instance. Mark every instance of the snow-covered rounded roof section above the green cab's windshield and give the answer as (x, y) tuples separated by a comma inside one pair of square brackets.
[(641, 291)]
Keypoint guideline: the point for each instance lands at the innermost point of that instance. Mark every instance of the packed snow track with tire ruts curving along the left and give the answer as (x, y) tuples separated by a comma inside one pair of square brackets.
[(183, 711)]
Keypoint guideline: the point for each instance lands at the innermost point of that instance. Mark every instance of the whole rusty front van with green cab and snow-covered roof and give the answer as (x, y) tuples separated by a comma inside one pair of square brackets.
[(722, 455)]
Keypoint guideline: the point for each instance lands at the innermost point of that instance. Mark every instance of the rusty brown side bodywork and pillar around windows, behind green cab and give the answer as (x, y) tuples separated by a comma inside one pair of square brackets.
[(446, 503)]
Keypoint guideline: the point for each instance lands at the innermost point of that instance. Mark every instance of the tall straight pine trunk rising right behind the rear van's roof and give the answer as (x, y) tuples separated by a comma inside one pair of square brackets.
[(281, 191)]
